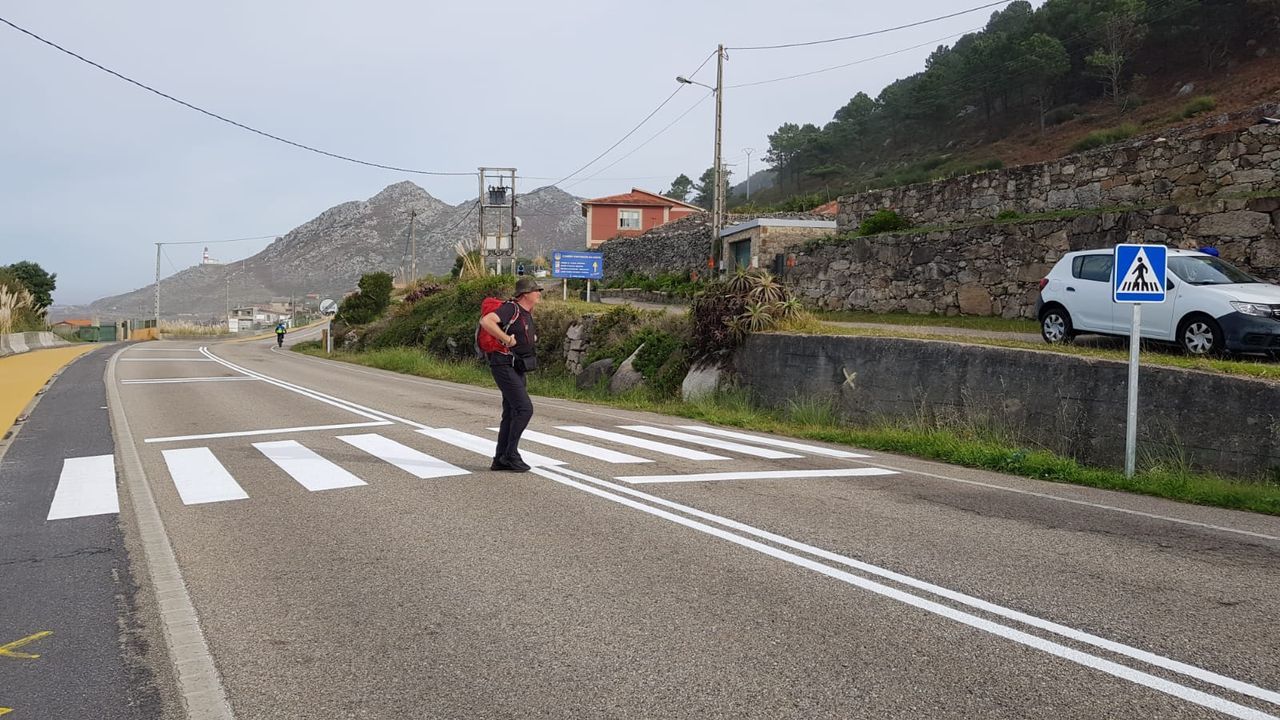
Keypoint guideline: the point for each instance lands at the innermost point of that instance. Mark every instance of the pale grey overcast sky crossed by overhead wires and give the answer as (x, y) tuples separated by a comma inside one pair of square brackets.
[(97, 171)]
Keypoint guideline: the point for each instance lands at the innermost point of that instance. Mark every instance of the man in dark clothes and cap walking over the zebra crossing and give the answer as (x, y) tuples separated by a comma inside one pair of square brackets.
[(513, 326)]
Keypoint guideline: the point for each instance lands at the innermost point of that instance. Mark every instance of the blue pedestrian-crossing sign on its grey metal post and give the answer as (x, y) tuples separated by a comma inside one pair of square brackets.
[(1139, 277)]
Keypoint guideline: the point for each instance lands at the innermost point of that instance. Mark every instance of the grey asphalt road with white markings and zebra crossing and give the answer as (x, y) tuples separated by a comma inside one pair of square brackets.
[(327, 541)]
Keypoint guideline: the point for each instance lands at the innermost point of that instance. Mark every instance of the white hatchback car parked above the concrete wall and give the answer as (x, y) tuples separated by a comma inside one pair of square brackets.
[(1212, 307)]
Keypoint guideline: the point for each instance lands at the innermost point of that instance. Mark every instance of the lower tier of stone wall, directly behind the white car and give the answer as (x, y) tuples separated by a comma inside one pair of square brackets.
[(994, 270)]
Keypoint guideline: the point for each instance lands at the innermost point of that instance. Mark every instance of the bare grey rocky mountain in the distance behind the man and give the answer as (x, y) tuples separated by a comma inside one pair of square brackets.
[(328, 254)]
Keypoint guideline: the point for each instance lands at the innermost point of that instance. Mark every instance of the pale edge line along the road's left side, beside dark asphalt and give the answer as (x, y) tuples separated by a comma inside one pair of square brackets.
[(194, 667)]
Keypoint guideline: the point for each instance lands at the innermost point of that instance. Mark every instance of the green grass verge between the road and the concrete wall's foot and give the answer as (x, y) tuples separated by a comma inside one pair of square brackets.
[(971, 448)]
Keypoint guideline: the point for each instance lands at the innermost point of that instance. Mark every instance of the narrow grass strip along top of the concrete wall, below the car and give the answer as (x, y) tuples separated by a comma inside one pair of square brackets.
[(1154, 354)]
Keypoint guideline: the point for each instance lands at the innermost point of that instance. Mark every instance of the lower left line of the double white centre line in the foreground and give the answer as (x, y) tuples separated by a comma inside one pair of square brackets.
[(1021, 637)]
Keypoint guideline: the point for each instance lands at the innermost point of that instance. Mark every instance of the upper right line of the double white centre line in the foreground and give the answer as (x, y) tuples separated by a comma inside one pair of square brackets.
[(967, 600)]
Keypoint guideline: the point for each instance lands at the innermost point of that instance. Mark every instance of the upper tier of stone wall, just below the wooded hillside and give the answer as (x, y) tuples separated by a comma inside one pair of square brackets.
[(1182, 166)]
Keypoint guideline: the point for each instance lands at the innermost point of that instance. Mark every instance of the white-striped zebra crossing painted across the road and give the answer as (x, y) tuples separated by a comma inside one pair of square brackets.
[(89, 486)]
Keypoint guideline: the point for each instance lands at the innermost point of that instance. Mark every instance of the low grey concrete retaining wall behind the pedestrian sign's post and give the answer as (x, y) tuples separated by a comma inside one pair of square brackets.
[(1072, 405)]
